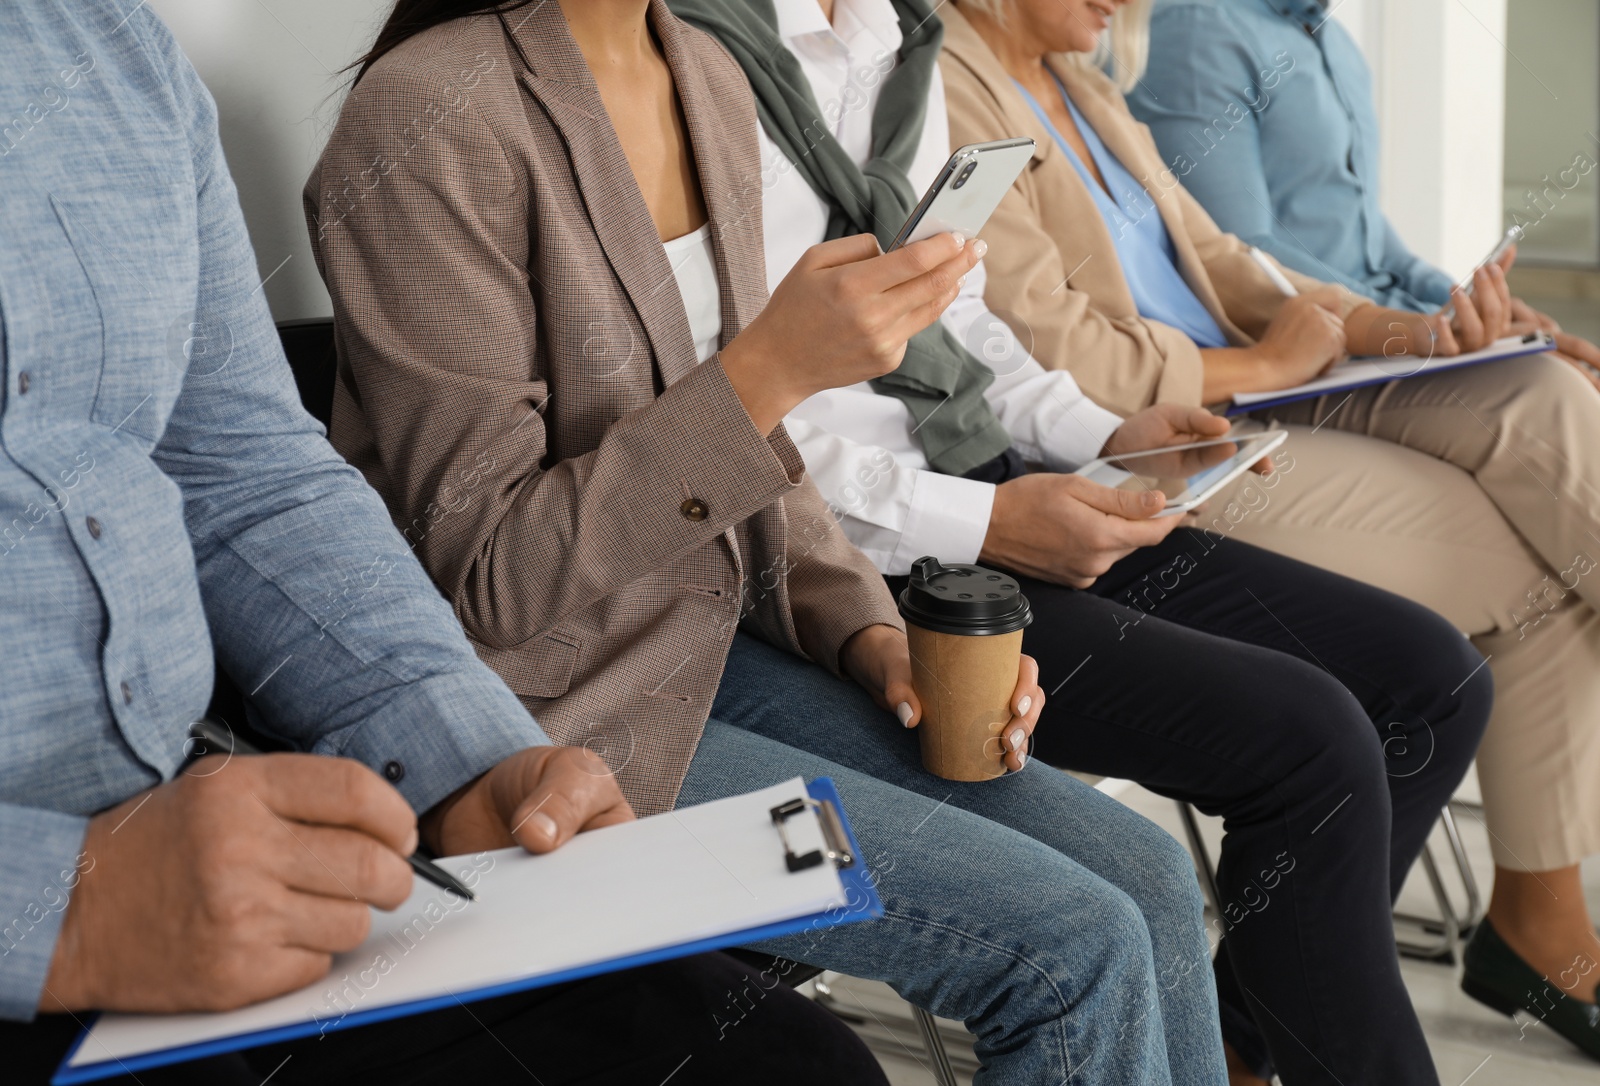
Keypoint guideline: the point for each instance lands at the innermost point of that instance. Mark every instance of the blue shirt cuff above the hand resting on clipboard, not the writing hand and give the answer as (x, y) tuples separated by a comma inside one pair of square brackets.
[(441, 733)]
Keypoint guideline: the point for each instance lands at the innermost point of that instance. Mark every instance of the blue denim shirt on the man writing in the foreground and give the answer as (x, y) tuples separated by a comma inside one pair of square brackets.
[(161, 485)]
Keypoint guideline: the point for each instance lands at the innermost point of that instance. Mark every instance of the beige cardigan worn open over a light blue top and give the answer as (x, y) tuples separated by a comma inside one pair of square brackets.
[(1054, 271)]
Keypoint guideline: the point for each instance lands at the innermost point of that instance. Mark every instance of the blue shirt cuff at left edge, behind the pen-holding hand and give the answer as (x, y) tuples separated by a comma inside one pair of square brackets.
[(39, 869)]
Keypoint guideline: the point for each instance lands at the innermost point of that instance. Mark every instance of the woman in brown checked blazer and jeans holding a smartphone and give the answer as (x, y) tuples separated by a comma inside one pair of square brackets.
[(540, 225)]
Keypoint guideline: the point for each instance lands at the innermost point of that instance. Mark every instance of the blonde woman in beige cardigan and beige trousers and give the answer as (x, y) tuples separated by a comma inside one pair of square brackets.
[(1473, 492)]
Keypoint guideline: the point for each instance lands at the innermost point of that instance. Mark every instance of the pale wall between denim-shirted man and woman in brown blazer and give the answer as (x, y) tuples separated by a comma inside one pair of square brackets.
[(274, 71)]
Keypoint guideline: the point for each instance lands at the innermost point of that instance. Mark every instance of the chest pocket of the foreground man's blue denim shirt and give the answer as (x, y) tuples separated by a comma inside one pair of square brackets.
[(140, 250)]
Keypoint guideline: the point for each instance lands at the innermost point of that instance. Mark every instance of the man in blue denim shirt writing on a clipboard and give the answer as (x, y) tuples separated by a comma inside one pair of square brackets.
[(164, 495)]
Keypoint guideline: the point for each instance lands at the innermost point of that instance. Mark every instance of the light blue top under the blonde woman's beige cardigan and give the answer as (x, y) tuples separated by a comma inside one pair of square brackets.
[(1150, 262)]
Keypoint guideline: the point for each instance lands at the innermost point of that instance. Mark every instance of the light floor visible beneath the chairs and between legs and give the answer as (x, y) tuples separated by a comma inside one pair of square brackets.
[(1470, 1042)]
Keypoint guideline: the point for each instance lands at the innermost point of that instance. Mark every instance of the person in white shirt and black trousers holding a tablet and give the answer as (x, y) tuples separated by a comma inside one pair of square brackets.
[(1170, 652)]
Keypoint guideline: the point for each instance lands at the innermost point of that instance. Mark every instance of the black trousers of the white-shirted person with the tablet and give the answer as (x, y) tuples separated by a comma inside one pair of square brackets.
[(1326, 722)]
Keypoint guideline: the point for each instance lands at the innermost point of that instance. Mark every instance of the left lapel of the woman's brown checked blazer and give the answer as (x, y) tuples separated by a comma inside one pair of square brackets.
[(559, 79)]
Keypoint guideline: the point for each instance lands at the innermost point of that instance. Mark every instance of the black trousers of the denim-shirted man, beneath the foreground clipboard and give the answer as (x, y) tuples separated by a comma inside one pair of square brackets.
[(705, 1020)]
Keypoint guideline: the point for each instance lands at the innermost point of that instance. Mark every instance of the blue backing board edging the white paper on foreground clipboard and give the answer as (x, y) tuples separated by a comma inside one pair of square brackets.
[(862, 903)]
